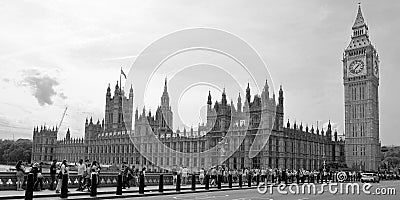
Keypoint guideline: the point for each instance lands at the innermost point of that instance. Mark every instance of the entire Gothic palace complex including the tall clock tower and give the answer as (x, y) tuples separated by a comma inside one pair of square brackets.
[(289, 146)]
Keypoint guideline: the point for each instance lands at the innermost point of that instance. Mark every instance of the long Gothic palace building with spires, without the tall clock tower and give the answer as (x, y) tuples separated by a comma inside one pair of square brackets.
[(111, 142)]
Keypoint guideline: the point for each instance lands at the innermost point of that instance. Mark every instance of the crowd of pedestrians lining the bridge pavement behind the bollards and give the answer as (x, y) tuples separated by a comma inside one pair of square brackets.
[(130, 175)]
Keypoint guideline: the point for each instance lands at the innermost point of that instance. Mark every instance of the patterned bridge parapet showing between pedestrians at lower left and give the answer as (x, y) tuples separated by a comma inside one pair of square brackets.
[(107, 179)]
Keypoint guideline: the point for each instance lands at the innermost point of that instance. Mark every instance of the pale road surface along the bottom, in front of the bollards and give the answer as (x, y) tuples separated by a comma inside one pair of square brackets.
[(151, 193)]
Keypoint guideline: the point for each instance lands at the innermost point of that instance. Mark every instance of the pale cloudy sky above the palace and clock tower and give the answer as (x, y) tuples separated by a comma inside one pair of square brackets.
[(57, 54)]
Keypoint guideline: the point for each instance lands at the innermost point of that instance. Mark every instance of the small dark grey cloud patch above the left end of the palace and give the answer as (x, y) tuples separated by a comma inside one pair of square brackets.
[(42, 86)]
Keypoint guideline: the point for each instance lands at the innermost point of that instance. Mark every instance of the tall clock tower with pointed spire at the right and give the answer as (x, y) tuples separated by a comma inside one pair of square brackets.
[(361, 81)]
